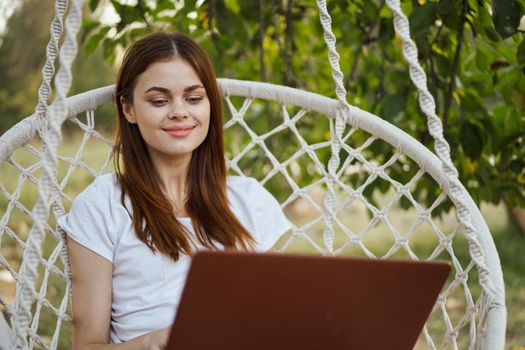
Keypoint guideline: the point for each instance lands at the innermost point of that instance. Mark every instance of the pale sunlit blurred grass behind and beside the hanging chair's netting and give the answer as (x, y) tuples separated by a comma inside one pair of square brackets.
[(378, 239)]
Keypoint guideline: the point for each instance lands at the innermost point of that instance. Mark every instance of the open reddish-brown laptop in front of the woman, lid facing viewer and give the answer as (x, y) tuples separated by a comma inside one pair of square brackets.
[(255, 301)]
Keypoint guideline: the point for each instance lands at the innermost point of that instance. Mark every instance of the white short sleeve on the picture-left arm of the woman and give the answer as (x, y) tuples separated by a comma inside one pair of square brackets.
[(91, 221)]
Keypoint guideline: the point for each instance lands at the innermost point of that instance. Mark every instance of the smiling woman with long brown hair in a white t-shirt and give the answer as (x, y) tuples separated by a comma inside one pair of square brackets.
[(131, 234)]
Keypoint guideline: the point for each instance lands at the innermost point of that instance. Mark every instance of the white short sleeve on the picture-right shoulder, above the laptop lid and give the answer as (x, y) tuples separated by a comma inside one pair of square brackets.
[(270, 221)]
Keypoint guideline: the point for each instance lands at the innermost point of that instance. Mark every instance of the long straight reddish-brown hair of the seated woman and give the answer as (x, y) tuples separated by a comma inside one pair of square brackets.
[(207, 202)]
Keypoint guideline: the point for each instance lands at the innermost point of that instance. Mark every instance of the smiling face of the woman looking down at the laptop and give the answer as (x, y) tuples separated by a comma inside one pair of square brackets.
[(171, 109)]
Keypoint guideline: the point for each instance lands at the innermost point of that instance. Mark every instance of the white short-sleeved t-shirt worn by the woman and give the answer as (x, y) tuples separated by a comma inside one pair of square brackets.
[(147, 286)]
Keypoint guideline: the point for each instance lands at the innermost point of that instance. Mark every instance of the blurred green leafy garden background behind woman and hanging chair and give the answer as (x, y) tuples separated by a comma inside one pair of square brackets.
[(473, 53)]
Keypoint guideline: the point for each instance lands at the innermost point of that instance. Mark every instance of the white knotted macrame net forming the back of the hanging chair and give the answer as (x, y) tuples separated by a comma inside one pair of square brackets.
[(255, 130)]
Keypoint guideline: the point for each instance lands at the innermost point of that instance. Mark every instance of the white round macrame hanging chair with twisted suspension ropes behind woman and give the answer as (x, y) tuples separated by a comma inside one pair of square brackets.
[(470, 311)]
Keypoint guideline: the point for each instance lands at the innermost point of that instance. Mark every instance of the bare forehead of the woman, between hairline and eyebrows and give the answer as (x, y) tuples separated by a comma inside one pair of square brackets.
[(174, 74)]
